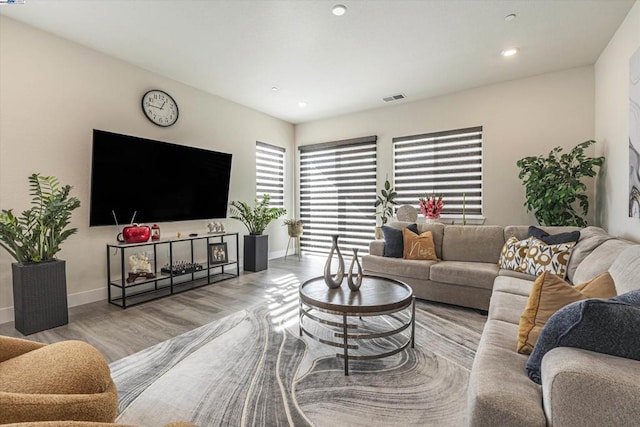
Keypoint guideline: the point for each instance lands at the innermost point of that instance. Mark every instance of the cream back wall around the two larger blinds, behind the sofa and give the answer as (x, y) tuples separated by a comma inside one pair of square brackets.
[(526, 117)]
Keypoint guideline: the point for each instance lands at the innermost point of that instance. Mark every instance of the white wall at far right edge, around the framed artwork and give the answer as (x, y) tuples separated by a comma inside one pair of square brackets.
[(612, 127)]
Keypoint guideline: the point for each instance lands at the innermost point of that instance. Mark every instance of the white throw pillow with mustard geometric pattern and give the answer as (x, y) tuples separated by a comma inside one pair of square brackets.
[(542, 257)]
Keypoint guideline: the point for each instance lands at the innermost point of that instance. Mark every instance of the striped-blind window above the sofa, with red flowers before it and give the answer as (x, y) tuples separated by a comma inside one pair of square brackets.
[(447, 163)]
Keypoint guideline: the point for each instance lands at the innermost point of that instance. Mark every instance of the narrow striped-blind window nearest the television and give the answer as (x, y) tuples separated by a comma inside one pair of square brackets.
[(270, 173)]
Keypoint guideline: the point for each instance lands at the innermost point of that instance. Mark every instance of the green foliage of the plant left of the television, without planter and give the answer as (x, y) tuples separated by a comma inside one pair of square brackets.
[(36, 235)]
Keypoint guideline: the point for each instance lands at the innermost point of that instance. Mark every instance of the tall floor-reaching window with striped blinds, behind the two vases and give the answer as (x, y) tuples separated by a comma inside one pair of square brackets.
[(337, 194)]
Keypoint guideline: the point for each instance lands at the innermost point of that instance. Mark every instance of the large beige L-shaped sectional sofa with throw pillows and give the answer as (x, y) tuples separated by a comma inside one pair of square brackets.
[(579, 388)]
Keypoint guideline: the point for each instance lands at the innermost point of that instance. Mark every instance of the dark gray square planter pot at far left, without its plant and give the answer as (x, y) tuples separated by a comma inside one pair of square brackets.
[(39, 296)]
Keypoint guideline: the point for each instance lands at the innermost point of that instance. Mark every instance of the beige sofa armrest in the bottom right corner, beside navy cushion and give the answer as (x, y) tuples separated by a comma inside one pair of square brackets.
[(581, 387)]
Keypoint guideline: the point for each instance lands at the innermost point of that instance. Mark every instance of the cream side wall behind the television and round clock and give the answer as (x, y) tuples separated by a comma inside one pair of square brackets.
[(54, 92)]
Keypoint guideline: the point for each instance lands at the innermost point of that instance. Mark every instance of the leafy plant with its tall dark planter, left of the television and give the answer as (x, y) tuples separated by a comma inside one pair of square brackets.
[(33, 239)]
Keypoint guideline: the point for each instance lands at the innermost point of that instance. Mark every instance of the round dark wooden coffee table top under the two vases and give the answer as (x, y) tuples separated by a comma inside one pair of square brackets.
[(376, 295)]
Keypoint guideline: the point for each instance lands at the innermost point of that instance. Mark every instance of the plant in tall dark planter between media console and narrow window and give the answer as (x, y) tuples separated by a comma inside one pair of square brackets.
[(256, 219)]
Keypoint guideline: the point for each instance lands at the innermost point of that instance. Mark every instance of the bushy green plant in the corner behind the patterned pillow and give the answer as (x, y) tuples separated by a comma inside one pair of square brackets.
[(553, 185)]
